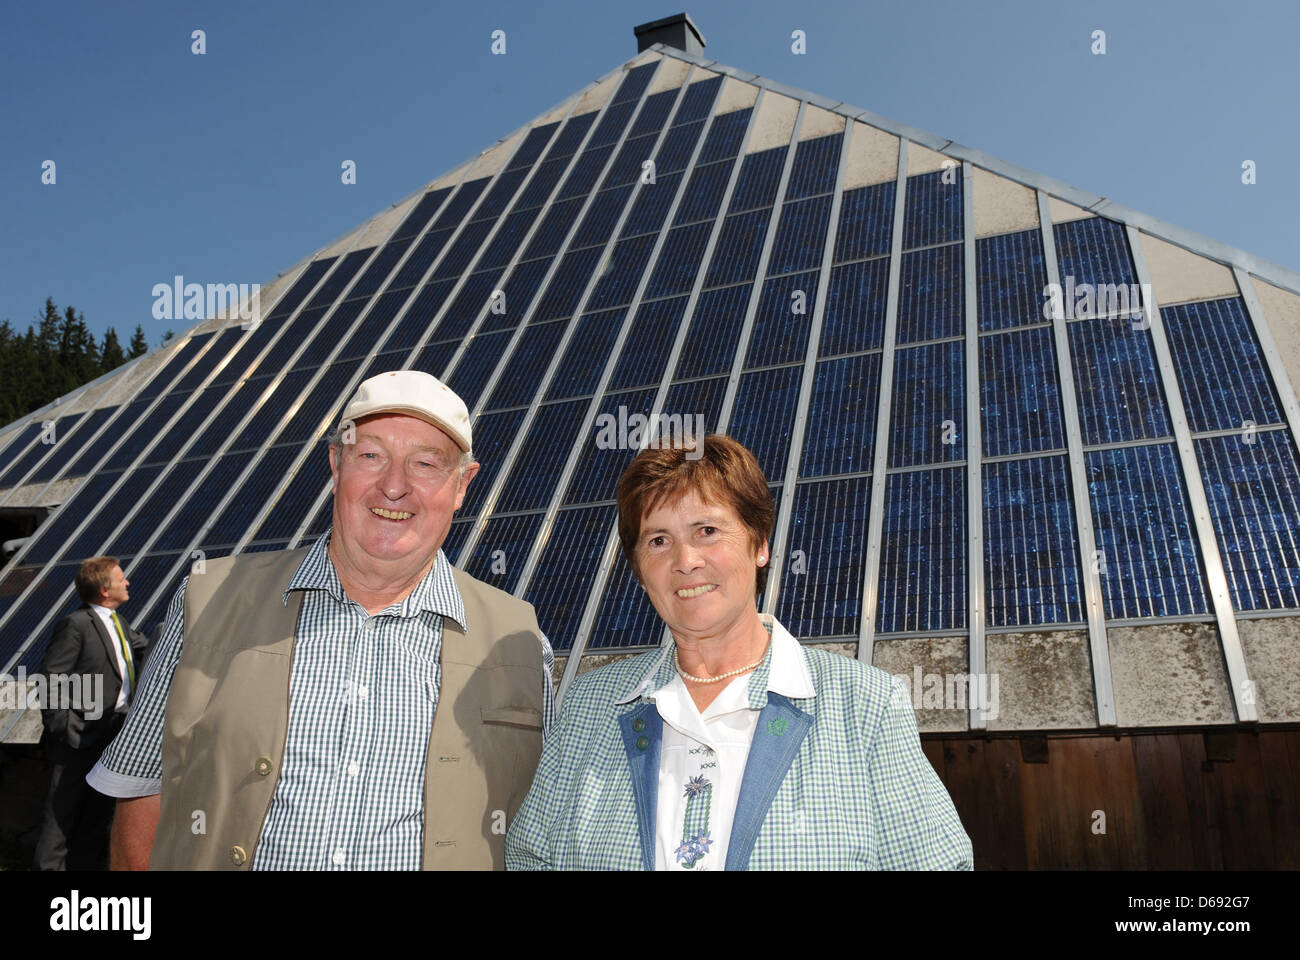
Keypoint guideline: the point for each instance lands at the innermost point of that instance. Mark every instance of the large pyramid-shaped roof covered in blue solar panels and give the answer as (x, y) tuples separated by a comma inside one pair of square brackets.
[(1094, 500)]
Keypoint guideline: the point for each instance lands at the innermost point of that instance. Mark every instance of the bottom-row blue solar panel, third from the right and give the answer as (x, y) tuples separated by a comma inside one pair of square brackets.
[(1032, 547)]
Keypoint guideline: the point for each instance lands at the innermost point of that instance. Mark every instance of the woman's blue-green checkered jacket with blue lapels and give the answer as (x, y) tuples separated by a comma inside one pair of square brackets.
[(837, 781)]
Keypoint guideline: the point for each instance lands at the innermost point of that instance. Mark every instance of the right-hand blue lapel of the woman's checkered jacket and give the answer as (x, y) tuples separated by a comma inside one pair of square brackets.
[(781, 733)]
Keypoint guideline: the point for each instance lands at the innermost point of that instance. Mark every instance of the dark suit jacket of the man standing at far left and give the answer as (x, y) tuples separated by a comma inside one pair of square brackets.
[(84, 646)]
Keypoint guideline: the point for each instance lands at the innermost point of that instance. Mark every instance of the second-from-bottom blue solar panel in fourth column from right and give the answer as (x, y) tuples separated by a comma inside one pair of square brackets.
[(929, 423)]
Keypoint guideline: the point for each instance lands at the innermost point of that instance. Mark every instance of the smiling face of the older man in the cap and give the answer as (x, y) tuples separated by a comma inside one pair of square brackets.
[(396, 490)]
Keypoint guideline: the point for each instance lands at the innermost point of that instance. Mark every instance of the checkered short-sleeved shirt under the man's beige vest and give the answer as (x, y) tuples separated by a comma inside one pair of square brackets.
[(365, 690)]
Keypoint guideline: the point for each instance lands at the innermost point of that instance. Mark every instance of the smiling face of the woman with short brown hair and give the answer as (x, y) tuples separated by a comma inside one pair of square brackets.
[(697, 563)]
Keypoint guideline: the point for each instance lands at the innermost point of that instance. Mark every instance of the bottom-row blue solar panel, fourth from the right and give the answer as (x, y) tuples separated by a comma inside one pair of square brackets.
[(924, 552)]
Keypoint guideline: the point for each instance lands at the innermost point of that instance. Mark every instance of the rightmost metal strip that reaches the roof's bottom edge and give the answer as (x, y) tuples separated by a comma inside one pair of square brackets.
[(1216, 577)]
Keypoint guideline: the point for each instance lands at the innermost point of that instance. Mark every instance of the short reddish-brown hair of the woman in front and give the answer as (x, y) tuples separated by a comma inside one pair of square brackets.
[(723, 473)]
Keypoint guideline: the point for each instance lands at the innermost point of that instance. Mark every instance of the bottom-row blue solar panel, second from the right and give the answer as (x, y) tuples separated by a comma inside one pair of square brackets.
[(1150, 559)]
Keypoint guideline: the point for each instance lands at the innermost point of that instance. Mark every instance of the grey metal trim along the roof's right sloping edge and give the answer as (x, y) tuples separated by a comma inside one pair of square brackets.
[(1178, 236)]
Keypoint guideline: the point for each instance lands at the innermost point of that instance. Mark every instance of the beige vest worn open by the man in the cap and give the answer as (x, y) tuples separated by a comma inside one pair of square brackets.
[(228, 719)]
